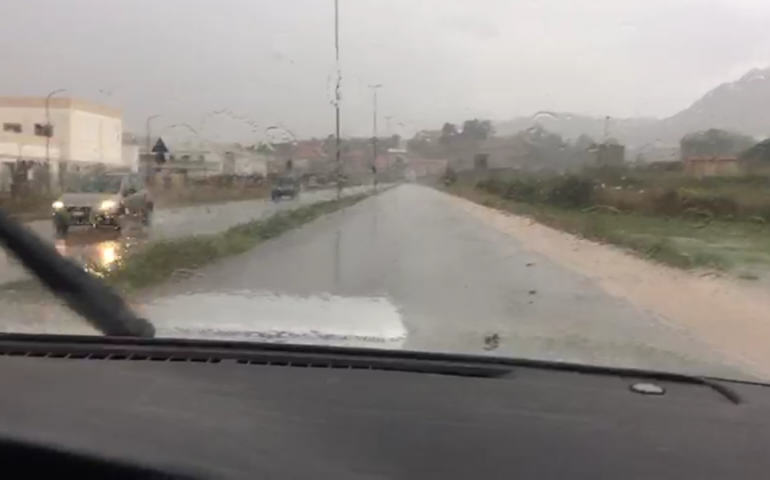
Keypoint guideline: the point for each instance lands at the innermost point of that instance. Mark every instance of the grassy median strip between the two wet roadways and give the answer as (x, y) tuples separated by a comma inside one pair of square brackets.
[(160, 260)]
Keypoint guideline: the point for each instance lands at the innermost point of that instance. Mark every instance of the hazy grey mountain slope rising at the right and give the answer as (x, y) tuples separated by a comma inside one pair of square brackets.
[(740, 106)]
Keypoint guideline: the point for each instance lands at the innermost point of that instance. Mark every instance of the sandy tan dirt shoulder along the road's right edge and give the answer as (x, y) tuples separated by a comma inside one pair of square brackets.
[(731, 317)]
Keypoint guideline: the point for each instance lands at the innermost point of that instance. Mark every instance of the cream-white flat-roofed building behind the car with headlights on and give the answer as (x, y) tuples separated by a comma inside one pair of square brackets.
[(82, 133)]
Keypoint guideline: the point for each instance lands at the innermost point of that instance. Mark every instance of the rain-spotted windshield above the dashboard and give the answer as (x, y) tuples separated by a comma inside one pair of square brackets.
[(582, 181)]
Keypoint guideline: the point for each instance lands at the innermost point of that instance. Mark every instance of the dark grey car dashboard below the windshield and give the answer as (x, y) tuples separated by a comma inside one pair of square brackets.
[(235, 410)]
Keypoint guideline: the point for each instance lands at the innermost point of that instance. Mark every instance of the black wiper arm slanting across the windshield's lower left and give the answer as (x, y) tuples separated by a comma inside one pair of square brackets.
[(104, 309)]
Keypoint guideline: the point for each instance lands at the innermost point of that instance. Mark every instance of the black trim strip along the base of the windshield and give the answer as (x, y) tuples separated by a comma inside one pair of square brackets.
[(214, 351)]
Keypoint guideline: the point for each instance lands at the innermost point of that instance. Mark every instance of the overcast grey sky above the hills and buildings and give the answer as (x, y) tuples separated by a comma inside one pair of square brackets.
[(272, 61)]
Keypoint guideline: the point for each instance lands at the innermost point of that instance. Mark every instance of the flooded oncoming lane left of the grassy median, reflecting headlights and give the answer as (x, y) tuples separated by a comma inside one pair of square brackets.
[(106, 245)]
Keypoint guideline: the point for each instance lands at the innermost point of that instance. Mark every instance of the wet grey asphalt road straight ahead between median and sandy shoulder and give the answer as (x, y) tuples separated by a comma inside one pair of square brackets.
[(407, 269)]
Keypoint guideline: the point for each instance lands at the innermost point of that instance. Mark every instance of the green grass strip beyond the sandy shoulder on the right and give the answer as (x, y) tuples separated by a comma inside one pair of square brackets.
[(739, 247)]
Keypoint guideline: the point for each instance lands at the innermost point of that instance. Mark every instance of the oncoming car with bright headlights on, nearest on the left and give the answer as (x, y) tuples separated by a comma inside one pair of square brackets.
[(102, 200)]
